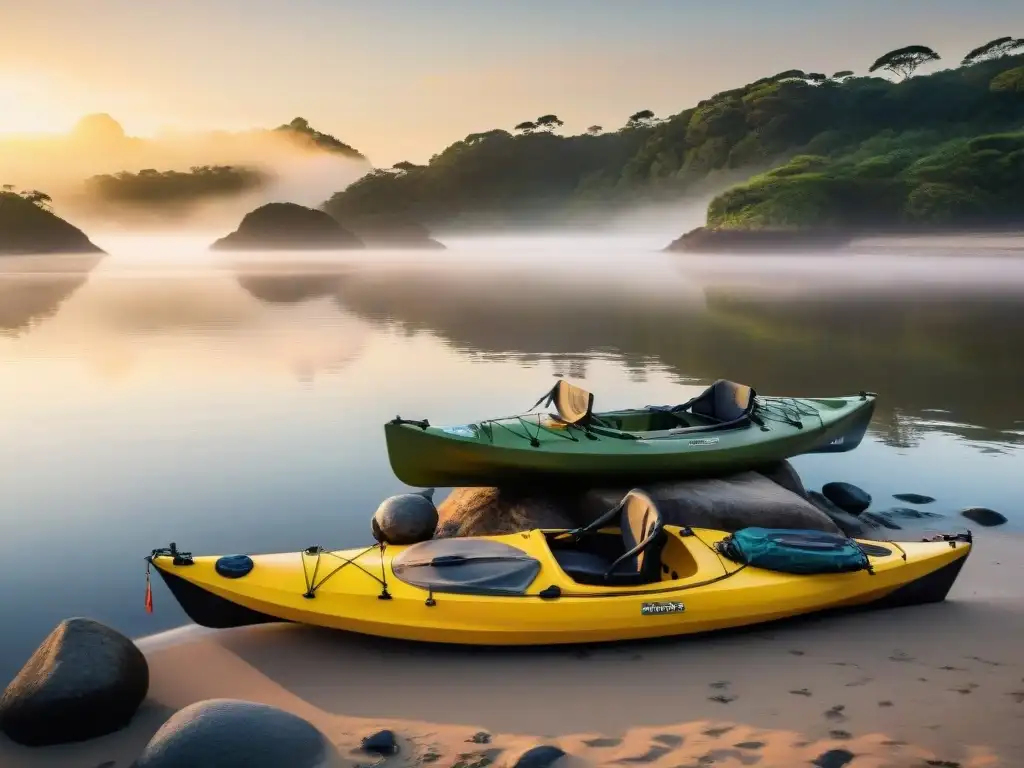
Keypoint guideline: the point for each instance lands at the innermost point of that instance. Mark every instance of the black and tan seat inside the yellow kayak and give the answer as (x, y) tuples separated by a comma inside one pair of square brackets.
[(644, 540)]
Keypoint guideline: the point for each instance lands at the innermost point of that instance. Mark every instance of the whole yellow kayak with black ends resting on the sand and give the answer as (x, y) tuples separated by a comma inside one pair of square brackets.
[(625, 577)]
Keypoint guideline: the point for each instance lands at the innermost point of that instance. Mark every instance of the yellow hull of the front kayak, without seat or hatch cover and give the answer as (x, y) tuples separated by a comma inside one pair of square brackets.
[(708, 595)]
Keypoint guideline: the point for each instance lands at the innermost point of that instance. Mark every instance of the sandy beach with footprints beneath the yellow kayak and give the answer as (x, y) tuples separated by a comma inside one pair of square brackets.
[(935, 686)]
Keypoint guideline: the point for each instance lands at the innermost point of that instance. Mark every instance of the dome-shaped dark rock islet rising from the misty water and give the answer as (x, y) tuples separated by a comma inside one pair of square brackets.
[(278, 227)]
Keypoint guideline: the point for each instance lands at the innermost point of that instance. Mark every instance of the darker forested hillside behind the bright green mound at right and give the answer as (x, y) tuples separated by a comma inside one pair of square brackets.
[(508, 176)]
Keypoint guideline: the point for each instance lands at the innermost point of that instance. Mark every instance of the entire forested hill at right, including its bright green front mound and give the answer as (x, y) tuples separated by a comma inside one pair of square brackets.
[(830, 150)]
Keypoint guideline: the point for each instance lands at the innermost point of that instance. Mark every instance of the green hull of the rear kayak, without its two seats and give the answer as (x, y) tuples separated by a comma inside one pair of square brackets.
[(500, 453)]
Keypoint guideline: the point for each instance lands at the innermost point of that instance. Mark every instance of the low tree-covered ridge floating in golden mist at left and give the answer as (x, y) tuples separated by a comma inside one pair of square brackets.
[(154, 189)]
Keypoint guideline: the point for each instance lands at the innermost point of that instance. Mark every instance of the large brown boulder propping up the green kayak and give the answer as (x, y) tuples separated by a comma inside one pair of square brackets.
[(728, 504)]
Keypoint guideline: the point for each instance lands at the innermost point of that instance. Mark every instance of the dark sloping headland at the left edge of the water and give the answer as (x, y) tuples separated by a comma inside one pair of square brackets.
[(29, 228)]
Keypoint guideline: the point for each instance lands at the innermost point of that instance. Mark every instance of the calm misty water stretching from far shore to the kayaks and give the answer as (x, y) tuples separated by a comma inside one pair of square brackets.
[(160, 395)]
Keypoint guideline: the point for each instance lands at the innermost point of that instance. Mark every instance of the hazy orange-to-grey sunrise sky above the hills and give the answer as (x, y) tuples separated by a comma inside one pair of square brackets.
[(402, 79)]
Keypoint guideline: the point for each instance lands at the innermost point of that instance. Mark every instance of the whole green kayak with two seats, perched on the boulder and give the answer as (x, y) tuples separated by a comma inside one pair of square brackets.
[(727, 429)]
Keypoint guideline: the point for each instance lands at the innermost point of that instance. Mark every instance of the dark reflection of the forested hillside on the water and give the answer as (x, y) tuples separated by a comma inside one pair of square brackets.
[(944, 361)]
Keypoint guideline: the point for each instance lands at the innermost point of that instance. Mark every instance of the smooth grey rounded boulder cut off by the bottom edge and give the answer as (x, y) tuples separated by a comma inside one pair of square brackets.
[(232, 734)]
